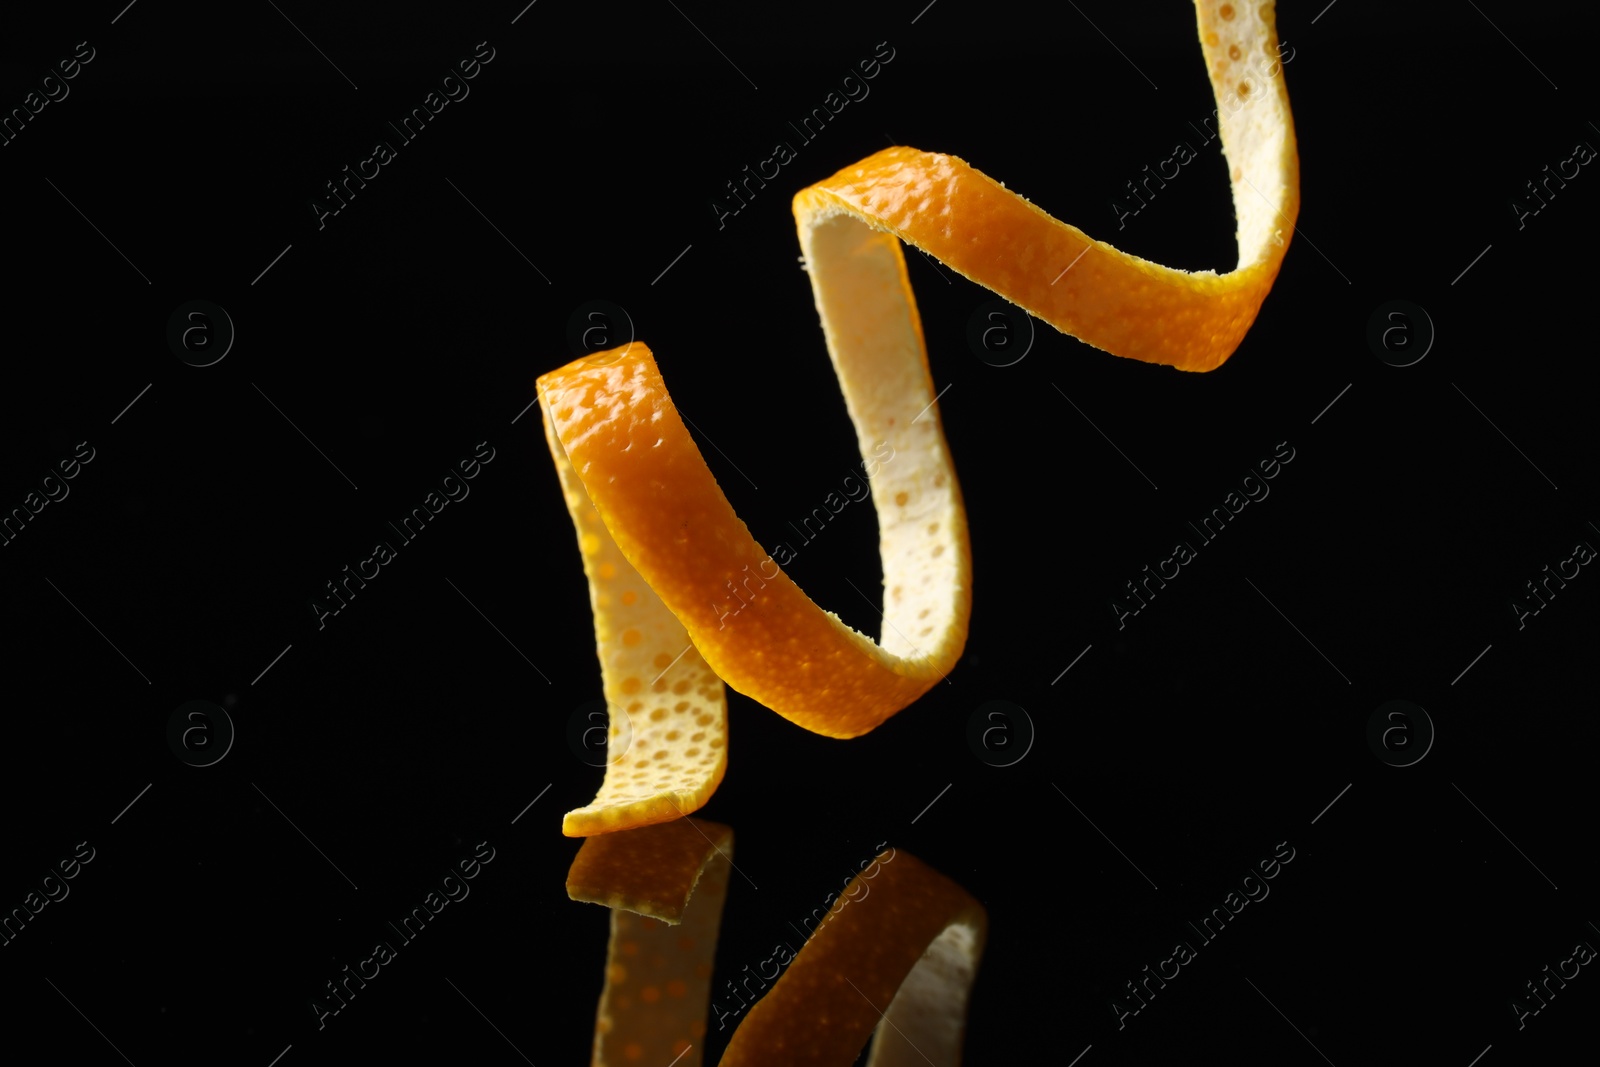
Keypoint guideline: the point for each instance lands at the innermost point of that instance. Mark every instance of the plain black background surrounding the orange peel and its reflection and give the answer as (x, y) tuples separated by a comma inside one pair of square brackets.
[(1177, 751)]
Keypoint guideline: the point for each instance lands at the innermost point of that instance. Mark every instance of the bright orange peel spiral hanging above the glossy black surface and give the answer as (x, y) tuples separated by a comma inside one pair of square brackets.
[(663, 548)]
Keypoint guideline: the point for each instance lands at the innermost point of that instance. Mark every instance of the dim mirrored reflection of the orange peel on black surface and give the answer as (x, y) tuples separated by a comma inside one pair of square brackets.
[(902, 964)]
